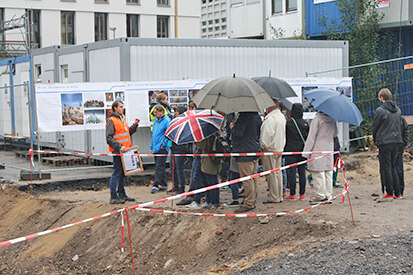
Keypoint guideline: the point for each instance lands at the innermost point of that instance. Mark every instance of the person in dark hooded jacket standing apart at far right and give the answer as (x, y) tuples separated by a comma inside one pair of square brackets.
[(387, 135)]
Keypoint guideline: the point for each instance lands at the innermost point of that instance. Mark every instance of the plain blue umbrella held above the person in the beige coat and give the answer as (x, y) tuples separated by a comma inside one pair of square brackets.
[(335, 104)]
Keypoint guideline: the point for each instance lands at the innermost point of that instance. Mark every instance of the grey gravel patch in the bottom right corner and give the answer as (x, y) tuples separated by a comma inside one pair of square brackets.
[(384, 255)]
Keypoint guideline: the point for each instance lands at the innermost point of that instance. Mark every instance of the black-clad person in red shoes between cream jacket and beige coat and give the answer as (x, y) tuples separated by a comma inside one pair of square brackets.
[(296, 133)]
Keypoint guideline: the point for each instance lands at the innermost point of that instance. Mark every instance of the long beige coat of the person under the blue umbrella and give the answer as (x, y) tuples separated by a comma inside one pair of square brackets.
[(323, 129)]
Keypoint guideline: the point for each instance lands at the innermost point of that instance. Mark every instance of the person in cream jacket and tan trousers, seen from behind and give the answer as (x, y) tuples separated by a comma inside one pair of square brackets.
[(273, 140)]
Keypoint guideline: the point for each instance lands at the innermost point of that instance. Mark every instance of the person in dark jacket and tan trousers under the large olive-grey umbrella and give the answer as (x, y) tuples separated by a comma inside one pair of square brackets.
[(246, 139)]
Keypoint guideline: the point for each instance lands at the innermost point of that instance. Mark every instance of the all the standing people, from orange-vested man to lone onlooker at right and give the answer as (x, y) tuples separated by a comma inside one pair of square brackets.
[(248, 132)]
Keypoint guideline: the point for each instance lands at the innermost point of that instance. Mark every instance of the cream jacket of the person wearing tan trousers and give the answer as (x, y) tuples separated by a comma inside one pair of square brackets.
[(272, 137)]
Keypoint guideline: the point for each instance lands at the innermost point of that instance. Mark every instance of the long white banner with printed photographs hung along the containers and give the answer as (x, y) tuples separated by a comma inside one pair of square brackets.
[(87, 106)]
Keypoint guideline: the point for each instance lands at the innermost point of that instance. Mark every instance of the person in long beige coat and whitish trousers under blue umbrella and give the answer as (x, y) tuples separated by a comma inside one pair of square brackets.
[(323, 129)]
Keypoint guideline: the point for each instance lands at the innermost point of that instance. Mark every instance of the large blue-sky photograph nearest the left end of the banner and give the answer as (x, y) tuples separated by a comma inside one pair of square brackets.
[(72, 110)]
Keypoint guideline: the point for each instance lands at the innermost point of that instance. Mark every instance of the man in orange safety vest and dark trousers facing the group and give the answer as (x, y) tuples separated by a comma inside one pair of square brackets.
[(118, 138)]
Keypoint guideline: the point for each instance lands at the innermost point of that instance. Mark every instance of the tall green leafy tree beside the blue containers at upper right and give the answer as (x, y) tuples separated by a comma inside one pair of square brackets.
[(358, 23)]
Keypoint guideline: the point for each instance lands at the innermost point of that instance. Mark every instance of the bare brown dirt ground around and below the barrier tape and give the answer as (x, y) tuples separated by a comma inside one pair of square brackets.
[(181, 244)]
